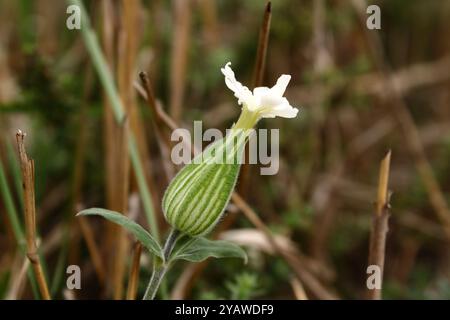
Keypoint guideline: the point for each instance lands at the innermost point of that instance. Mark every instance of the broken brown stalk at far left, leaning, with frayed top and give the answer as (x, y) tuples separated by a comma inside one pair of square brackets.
[(27, 168)]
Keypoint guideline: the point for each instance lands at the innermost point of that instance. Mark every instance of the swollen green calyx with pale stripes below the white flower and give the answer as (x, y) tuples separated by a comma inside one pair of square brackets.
[(196, 198)]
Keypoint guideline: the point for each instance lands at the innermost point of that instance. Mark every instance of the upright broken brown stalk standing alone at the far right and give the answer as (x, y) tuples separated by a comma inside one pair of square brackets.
[(380, 224)]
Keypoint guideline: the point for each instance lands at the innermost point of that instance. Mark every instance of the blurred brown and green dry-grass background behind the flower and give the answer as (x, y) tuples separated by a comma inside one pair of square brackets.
[(361, 93)]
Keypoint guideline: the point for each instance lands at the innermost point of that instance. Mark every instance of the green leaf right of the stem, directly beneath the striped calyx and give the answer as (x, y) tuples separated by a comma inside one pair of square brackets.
[(199, 249)]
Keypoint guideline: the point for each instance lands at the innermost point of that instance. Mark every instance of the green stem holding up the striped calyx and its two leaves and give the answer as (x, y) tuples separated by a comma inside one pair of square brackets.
[(160, 266)]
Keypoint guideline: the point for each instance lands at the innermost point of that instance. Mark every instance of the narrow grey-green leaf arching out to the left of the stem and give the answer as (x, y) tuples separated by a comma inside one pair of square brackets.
[(138, 231)]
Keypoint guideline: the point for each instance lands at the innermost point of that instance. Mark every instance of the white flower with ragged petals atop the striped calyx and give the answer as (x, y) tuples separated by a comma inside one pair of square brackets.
[(265, 102)]
